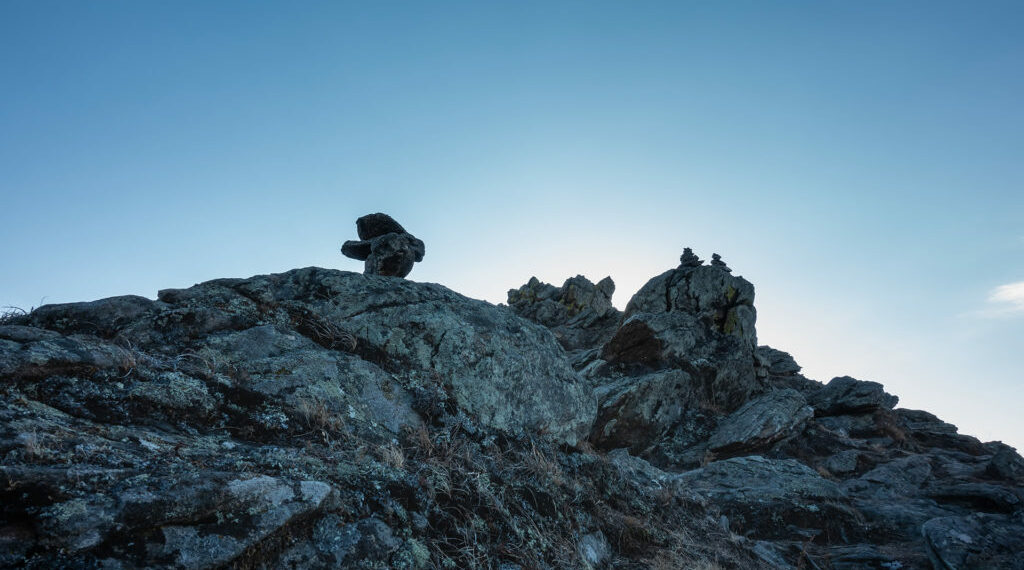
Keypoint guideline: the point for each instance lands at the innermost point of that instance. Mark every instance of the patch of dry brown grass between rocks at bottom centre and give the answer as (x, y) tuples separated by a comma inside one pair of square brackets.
[(529, 503)]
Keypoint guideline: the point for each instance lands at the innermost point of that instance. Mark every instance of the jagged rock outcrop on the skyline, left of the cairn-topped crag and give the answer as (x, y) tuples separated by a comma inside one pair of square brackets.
[(580, 314)]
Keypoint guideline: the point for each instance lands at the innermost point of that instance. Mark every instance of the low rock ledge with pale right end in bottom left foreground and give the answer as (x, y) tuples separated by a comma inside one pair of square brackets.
[(178, 510)]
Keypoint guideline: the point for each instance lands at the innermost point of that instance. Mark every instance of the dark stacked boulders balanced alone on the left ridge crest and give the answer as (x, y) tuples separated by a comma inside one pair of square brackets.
[(386, 246)]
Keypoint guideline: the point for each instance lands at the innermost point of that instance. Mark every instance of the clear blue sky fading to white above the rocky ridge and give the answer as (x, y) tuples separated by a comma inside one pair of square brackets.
[(860, 162)]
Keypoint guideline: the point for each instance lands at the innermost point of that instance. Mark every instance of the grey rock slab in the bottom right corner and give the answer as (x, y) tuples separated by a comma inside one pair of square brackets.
[(975, 542)]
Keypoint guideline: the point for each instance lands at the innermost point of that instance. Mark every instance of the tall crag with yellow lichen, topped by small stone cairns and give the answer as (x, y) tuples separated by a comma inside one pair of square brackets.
[(682, 359)]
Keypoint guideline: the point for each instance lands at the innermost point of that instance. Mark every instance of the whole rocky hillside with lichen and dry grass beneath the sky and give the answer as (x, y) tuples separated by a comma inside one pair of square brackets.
[(322, 419)]
